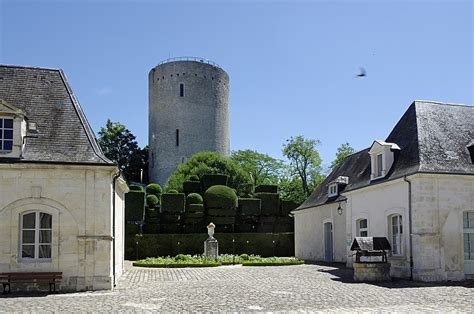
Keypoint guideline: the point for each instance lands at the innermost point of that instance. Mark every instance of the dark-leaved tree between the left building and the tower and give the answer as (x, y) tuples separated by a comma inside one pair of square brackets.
[(120, 146)]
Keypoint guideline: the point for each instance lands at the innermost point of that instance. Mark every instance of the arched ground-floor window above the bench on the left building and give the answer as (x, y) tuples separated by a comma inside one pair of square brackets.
[(36, 236)]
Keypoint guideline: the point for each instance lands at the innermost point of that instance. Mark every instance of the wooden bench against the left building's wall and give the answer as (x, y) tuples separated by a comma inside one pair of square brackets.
[(52, 278)]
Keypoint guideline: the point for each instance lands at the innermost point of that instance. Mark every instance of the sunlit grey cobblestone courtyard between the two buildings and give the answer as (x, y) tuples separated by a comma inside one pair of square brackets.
[(304, 288)]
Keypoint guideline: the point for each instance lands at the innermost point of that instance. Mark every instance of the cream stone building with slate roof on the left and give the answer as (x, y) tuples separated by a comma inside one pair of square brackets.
[(61, 199)]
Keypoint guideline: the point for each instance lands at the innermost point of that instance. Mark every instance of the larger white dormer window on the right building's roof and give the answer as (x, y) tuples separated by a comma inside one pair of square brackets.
[(381, 158)]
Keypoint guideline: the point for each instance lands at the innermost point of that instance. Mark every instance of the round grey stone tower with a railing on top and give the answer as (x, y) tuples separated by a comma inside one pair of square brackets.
[(188, 113)]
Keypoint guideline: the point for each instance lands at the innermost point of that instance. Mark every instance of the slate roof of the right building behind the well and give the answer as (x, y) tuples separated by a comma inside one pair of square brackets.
[(433, 138)]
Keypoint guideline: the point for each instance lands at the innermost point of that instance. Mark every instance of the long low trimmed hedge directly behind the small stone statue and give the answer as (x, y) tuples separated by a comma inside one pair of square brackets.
[(151, 245)]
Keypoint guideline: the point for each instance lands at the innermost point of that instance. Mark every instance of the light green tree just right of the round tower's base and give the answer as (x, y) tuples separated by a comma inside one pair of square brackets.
[(263, 168)]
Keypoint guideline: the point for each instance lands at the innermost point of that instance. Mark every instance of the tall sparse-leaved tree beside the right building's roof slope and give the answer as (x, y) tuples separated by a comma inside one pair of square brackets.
[(304, 161)]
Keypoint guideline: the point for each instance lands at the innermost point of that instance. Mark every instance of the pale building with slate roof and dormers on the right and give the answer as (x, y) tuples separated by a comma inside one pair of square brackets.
[(416, 188)]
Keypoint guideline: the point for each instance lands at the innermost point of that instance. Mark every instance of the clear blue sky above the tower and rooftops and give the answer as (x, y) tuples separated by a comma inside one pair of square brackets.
[(291, 63)]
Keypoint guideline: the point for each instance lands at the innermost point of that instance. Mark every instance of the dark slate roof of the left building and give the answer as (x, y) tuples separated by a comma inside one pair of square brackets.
[(46, 97)]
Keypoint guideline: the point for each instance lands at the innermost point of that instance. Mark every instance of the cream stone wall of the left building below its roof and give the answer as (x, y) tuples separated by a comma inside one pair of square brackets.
[(79, 198)]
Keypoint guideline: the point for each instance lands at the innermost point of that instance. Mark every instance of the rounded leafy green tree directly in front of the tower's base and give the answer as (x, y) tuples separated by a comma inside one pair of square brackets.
[(209, 163)]
